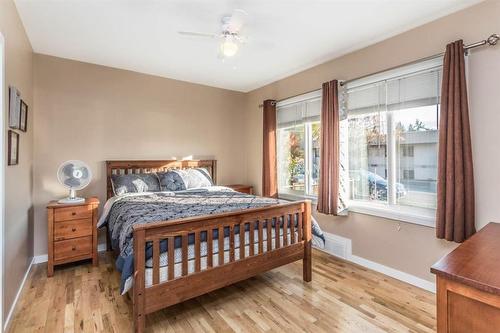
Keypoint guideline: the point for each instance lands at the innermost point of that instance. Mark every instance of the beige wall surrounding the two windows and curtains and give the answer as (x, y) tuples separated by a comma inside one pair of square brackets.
[(411, 248)]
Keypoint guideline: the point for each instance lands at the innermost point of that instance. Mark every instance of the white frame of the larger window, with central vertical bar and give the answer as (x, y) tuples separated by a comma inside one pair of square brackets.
[(391, 210)]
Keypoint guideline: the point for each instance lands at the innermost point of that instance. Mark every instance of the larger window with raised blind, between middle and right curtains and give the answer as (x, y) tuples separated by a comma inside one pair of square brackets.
[(392, 144)]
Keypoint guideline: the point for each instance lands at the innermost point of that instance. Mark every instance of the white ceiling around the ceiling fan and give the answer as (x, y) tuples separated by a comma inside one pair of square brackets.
[(285, 36)]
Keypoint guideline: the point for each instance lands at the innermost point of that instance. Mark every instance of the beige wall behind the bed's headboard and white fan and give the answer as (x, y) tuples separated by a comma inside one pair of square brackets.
[(96, 113)]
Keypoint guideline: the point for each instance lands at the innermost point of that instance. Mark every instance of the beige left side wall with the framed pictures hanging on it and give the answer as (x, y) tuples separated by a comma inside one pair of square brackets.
[(18, 235)]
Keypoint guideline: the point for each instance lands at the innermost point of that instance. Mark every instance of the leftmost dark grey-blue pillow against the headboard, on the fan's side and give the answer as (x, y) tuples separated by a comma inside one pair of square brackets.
[(135, 183)]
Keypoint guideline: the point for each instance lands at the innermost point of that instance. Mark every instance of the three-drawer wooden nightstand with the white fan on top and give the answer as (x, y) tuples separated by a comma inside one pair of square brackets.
[(72, 232)]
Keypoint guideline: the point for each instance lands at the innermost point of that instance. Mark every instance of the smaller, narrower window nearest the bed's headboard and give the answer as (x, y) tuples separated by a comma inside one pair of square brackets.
[(298, 135)]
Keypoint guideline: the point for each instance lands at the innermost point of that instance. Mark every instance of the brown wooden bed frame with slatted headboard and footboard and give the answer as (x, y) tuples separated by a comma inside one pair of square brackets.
[(175, 290)]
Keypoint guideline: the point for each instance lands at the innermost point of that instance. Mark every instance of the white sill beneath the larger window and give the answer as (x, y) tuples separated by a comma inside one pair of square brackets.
[(420, 216)]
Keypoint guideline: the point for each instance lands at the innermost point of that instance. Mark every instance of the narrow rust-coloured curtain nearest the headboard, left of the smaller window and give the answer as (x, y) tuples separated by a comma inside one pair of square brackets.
[(269, 172)]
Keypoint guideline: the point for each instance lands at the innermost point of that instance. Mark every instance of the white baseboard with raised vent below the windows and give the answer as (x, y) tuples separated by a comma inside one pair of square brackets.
[(342, 247)]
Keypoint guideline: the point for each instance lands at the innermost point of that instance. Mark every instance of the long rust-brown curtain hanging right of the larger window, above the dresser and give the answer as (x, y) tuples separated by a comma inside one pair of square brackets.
[(455, 191)]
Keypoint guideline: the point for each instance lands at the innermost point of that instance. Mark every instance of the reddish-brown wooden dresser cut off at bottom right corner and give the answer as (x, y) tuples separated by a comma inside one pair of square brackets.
[(468, 285)]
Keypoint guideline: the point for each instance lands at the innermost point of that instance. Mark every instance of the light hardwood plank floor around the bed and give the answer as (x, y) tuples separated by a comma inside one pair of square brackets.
[(342, 297)]
